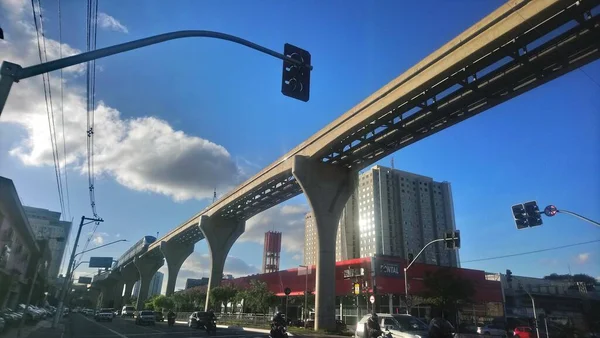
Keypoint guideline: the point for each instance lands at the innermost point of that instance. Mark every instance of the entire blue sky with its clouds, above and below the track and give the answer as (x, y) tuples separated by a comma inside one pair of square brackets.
[(222, 101)]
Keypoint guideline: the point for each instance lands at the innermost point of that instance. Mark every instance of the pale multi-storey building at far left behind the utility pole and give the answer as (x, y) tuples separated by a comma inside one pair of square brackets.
[(46, 224)]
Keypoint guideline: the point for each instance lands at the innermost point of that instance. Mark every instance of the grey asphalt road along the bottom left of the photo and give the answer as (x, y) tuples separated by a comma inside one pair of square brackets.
[(86, 327)]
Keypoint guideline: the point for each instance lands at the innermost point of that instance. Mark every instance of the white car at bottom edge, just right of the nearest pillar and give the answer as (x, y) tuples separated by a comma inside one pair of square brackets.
[(399, 326)]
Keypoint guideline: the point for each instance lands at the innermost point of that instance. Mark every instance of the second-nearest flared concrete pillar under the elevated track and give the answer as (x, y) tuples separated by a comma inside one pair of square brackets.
[(220, 234)]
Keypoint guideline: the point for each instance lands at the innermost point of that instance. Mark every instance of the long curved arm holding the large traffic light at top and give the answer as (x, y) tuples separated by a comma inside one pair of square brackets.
[(11, 72)]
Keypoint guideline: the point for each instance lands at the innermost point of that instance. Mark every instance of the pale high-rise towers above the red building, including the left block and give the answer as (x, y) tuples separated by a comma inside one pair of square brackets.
[(393, 213)]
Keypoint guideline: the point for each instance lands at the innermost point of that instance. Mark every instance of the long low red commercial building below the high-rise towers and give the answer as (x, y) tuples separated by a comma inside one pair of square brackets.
[(386, 275)]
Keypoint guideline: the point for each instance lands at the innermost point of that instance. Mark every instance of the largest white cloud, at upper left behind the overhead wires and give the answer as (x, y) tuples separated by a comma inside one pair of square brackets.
[(143, 153)]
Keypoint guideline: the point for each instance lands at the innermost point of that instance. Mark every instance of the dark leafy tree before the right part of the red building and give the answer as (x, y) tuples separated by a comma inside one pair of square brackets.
[(446, 290)]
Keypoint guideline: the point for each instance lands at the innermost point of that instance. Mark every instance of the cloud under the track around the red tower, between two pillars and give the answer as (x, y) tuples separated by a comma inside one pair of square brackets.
[(287, 219)]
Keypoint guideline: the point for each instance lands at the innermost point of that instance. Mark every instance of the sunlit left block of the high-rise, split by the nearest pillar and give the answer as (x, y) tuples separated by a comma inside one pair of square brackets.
[(347, 240)]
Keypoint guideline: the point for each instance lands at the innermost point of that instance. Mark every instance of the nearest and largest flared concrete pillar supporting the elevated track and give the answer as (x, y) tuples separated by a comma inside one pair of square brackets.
[(327, 189)]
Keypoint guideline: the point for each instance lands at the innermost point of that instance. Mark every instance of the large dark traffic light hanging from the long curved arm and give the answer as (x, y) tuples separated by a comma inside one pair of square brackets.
[(296, 78)]
